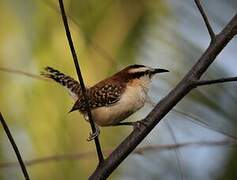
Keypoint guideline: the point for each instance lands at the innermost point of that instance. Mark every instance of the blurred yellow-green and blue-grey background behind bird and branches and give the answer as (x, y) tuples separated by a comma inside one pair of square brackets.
[(108, 36)]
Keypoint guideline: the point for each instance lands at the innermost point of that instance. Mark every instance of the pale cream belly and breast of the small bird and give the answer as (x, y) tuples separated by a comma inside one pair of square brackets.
[(130, 102)]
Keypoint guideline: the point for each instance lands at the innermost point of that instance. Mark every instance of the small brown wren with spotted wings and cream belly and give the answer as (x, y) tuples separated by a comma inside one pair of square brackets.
[(113, 99)]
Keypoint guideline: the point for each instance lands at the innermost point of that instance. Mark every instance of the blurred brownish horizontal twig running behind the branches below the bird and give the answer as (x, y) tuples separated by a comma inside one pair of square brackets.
[(140, 151)]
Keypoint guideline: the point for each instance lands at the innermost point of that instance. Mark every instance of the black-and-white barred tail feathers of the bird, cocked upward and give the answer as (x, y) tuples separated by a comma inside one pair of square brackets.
[(71, 84)]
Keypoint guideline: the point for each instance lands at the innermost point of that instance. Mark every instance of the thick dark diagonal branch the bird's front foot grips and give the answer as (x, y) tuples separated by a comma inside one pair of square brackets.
[(168, 102)]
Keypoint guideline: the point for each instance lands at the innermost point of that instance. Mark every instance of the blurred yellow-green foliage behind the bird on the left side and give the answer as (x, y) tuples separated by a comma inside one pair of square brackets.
[(106, 35)]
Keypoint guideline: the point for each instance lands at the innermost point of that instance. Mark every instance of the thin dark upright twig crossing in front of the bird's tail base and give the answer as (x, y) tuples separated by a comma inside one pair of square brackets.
[(68, 34)]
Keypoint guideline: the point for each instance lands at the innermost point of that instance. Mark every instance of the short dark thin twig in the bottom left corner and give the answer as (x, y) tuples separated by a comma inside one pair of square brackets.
[(14, 146)]
